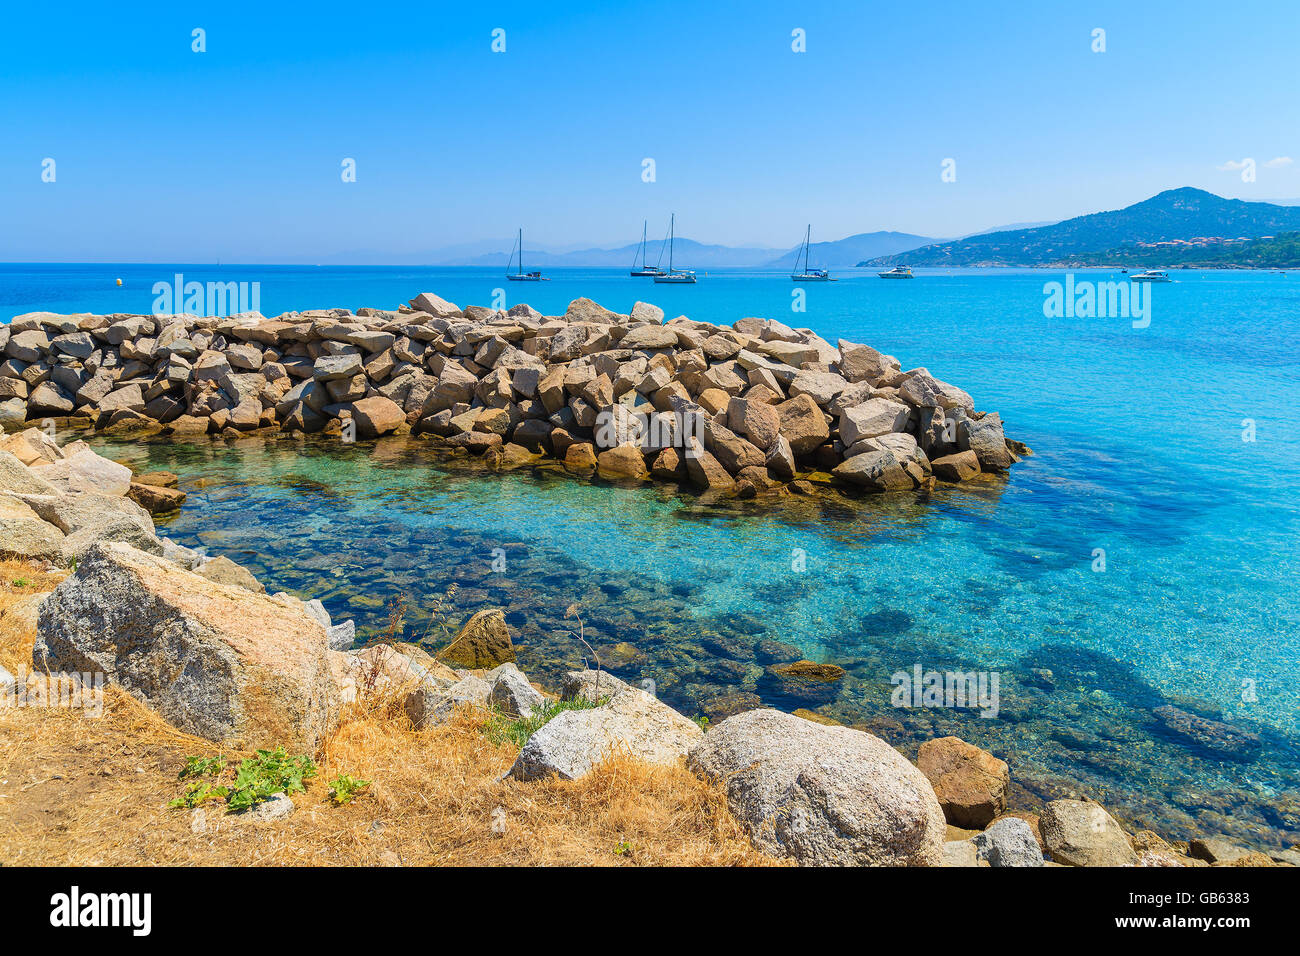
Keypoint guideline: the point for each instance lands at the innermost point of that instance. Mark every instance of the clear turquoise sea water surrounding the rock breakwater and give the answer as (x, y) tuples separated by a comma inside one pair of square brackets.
[(1141, 452)]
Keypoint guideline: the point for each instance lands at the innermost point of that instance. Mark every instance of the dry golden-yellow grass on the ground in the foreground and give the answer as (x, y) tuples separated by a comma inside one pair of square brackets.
[(81, 791)]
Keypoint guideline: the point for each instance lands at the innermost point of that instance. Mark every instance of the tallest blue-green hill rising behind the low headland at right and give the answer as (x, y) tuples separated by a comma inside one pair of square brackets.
[(1177, 214)]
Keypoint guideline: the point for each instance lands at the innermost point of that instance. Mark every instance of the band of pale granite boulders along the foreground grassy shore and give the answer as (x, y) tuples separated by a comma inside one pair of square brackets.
[(201, 643)]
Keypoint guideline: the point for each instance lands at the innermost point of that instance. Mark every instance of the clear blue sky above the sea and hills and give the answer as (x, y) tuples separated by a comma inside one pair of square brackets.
[(168, 155)]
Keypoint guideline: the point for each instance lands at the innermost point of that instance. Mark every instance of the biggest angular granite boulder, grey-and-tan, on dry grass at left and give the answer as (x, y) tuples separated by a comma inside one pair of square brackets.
[(222, 663)]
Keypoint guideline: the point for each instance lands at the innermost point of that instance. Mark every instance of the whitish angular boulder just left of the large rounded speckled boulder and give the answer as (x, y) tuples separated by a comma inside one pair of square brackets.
[(631, 723)]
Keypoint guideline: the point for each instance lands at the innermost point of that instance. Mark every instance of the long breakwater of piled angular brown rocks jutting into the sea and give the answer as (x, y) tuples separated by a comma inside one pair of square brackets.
[(743, 410)]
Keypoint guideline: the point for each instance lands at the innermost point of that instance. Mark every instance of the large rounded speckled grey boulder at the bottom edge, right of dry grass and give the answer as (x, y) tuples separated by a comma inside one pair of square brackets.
[(824, 795)]
